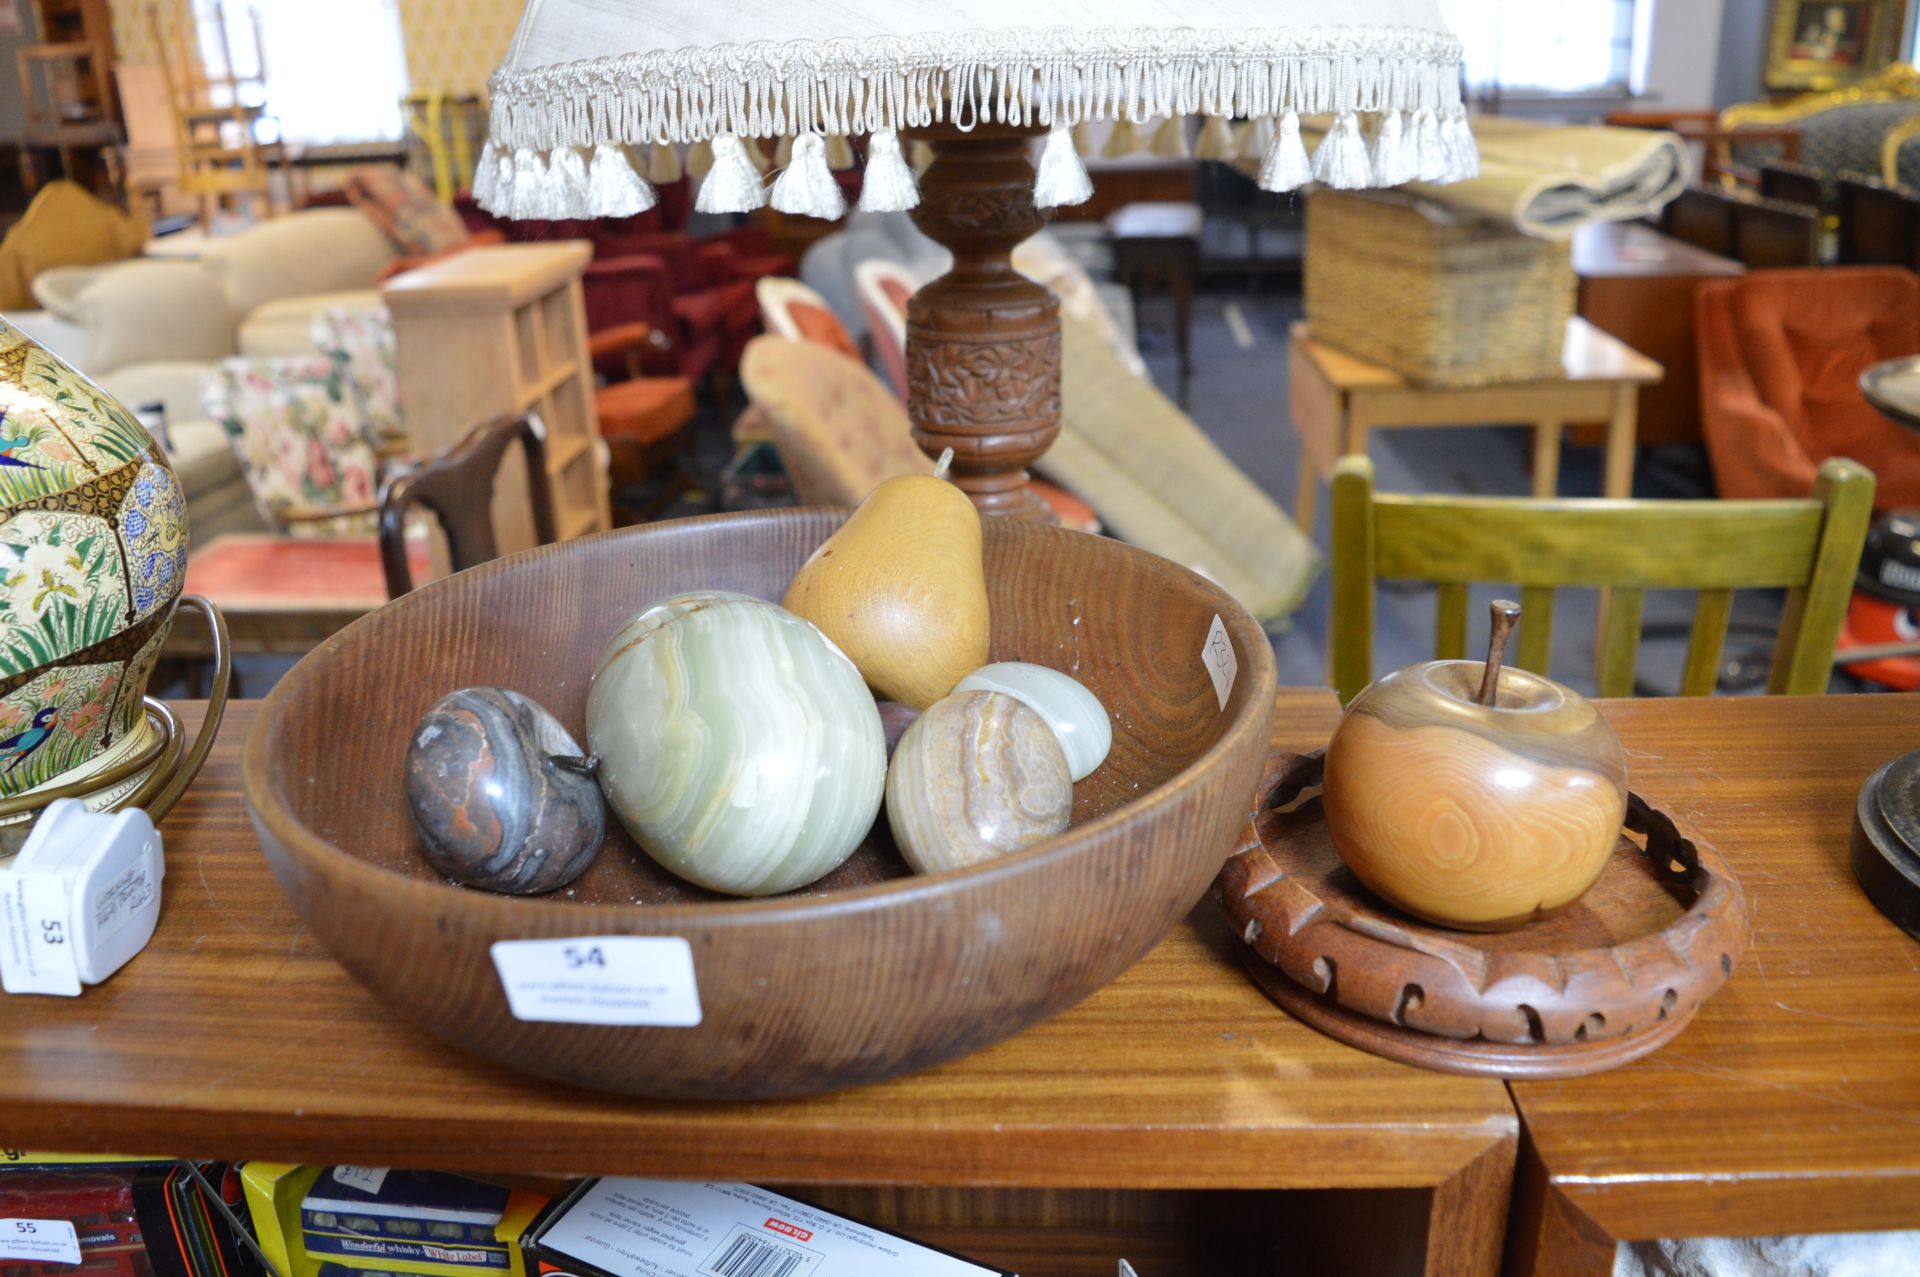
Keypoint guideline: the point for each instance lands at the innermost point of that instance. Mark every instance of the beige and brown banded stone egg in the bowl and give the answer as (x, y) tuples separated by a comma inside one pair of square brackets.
[(976, 777)]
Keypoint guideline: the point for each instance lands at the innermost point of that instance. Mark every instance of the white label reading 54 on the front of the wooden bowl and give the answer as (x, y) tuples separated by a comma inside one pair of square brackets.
[(602, 980)]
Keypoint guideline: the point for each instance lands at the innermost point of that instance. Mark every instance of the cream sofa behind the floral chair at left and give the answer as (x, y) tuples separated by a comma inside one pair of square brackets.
[(151, 329)]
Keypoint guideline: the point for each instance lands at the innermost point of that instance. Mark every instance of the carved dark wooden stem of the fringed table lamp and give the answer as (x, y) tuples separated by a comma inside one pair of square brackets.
[(984, 341)]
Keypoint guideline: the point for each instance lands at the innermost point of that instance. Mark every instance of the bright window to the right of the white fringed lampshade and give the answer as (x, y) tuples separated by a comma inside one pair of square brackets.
[(1545, 47)]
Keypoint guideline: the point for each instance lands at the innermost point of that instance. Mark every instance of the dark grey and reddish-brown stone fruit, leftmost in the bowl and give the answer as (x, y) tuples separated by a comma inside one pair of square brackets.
[(502, 796)]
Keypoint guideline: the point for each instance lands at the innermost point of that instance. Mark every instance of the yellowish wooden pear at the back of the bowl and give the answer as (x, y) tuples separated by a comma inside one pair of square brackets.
[(901, 589)]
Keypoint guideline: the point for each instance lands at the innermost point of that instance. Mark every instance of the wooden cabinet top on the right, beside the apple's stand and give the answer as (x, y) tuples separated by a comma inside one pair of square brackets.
[(1792, 1103)]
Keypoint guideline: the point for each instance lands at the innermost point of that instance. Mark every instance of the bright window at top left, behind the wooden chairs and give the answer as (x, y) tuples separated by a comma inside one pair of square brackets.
[(335, 72)]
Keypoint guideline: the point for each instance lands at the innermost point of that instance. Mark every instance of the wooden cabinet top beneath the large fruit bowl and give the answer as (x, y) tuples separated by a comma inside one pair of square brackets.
[(235, 1034)]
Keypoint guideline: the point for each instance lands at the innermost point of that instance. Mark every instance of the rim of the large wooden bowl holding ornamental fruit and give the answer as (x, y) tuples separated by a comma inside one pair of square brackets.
[(258, 786)]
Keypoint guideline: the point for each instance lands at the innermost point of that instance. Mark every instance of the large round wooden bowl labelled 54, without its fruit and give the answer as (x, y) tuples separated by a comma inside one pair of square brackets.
[(863, 976)]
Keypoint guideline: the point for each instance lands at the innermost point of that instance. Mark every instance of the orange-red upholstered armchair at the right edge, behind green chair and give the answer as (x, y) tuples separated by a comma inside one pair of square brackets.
[(1781, 358)]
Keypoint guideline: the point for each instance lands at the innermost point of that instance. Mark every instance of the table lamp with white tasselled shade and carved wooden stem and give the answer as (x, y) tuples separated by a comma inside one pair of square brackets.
[(590, 84)]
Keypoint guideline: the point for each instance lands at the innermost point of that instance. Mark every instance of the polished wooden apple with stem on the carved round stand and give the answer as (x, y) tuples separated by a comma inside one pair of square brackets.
[(1476, 796)]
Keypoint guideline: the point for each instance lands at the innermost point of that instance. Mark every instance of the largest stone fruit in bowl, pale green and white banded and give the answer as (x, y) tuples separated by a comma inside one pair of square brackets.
[(736, 744)]
